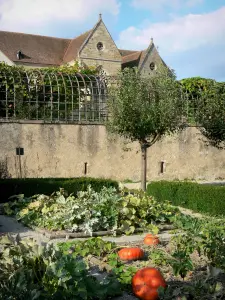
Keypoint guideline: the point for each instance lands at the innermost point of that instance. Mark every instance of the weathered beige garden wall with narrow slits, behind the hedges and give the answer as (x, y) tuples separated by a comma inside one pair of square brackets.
[(62, 150)]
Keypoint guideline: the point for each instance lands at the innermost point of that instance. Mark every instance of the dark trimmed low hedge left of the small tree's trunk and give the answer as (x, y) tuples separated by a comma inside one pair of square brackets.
[(32, 186)]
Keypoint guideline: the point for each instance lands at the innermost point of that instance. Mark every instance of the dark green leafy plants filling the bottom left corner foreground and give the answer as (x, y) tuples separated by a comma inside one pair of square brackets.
[(31, 271)]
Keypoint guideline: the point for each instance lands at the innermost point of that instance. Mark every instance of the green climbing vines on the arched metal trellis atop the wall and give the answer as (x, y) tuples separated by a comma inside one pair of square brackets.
[(25, 85)]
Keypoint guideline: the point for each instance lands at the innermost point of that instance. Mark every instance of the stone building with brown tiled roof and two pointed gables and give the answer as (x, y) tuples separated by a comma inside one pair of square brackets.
[(92, 48)]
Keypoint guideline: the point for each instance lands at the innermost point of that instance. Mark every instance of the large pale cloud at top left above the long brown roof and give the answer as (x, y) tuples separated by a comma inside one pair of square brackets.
[(27, 15)]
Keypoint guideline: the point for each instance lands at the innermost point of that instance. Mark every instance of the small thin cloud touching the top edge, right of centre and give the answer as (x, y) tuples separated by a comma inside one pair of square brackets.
[(164, 4)]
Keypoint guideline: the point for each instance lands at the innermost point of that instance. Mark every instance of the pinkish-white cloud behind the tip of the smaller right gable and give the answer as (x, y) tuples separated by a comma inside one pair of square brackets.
[(179, 34)]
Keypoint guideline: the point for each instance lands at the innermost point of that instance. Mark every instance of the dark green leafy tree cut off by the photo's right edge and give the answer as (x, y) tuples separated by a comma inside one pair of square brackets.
[(206, 101)]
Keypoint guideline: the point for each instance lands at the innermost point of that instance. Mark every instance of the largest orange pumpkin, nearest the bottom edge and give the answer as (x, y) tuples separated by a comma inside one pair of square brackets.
[(146, 282)]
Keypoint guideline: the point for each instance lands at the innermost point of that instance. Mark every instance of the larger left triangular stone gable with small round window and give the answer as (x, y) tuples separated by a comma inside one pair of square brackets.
[(109, 50)]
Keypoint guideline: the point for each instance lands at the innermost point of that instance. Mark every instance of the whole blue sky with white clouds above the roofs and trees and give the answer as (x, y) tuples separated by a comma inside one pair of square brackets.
[(189, 34)]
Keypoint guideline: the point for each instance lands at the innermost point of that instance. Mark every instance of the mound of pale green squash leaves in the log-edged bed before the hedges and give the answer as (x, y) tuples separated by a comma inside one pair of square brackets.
[(92, 211)]
